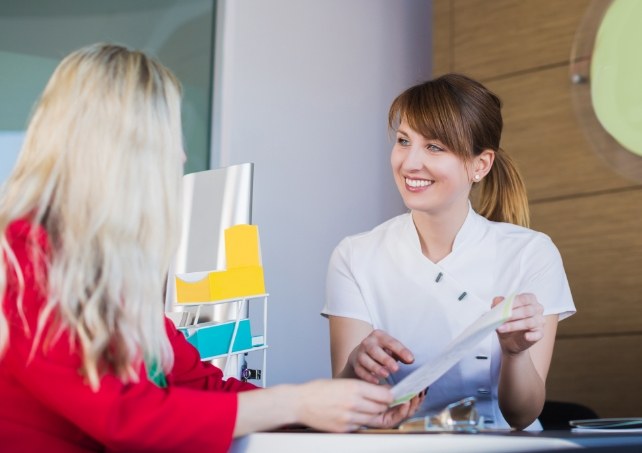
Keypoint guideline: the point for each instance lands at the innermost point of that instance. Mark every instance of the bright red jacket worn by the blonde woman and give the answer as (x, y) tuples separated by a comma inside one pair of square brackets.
[(47, 405)]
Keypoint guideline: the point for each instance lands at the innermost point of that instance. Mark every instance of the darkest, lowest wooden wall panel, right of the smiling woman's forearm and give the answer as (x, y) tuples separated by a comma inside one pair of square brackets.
[(603, 373)]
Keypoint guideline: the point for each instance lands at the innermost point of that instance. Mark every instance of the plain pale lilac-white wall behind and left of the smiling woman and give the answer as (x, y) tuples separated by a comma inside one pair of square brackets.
[(302, 89)]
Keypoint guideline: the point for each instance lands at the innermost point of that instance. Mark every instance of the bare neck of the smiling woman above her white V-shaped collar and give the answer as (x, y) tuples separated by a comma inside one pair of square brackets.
[(437, 232)]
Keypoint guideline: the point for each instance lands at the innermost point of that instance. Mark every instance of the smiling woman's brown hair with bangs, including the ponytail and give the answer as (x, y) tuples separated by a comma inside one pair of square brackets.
[(466, 116)]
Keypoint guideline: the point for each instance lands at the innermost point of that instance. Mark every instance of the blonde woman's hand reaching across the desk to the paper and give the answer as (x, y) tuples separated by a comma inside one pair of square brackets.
[(342, 405)]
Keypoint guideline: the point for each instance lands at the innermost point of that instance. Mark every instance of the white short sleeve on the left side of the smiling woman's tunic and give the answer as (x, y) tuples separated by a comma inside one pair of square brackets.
[(343, 294)]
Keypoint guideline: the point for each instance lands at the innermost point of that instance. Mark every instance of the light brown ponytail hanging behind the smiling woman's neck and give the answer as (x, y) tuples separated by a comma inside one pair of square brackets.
[(502, 195)]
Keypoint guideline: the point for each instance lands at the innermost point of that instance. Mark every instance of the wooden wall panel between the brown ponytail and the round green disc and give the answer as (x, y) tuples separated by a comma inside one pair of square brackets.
[(544, 136)]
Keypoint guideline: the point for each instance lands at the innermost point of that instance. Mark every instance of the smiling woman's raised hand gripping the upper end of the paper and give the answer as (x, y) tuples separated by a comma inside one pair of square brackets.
[(525, 327)]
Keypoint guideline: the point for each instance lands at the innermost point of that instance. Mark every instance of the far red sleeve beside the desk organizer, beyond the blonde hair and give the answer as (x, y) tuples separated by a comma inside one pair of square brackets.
[(190, 371)]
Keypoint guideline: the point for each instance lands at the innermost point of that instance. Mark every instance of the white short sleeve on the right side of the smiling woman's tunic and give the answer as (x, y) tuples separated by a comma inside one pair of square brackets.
[(545, 277)]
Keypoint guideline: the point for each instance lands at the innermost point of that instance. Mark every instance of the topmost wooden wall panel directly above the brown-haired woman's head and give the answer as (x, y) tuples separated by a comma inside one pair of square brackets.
[(499, 37)]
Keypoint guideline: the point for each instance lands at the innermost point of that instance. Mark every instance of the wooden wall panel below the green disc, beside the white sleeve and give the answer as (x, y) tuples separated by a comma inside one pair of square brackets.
[(600, 240)]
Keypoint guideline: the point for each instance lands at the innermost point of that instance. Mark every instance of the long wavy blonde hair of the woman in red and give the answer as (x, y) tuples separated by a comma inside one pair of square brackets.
[(100, 171)]
